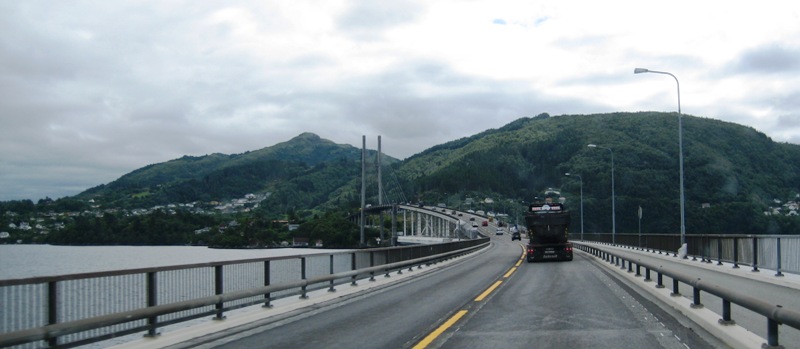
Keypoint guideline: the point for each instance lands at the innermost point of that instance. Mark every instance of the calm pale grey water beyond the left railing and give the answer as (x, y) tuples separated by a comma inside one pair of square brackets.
[(22, 261)]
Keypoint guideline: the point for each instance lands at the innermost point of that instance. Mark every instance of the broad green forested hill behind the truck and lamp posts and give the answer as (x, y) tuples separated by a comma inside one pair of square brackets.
[(731, 172)]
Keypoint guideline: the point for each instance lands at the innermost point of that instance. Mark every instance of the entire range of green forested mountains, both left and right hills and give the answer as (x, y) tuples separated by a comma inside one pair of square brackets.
[(733, 175)]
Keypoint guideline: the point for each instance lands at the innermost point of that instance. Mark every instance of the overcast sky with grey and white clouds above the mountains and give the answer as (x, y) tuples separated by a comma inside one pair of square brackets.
[(92, 90)]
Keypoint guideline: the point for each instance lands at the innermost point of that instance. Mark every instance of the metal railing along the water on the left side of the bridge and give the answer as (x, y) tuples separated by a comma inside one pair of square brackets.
[(72, 310)]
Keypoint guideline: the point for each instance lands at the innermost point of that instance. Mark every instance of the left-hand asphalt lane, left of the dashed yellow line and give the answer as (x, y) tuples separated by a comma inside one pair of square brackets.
[(393, 317)]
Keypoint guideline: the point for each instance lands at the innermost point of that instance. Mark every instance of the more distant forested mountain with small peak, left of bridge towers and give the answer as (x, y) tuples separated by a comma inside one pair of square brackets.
[(304, 172)]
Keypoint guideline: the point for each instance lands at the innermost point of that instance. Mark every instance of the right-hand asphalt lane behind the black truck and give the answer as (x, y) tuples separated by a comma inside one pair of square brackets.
[(569, 305)]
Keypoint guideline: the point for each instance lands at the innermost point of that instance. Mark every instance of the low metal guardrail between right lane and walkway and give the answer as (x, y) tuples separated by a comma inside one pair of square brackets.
[(775, 314)]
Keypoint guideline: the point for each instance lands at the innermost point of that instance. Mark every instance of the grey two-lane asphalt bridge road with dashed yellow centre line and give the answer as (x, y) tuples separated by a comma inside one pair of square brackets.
[(549, 305)]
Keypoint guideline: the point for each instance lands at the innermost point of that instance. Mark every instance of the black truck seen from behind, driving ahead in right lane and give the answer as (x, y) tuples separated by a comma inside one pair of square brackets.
[(548, 228)]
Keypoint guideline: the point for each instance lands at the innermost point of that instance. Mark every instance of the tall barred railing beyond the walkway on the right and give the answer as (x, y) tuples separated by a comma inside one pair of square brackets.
[(774, 252)]
